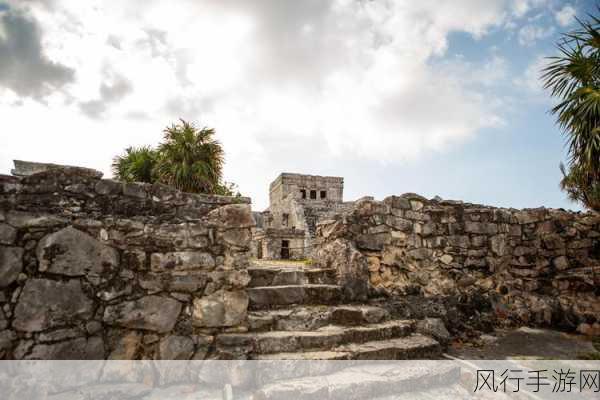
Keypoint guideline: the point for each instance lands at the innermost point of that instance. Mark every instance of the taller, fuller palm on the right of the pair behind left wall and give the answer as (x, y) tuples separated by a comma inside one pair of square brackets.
[(190, 159)]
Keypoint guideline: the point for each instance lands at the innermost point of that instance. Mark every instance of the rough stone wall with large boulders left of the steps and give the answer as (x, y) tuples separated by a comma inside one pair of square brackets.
[(92, 268)]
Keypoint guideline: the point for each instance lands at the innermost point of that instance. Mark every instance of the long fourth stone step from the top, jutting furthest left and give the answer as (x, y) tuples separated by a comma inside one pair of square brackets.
[(325, 338)]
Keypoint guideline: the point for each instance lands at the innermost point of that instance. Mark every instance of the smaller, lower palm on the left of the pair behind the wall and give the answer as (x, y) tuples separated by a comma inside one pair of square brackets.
[(136, 165)]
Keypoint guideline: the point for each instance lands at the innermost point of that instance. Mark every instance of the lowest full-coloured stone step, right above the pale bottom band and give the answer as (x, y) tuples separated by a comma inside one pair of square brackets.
[(414, 346)]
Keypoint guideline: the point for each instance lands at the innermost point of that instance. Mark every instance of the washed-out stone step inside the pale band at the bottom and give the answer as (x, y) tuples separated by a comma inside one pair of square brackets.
[(362, 381)]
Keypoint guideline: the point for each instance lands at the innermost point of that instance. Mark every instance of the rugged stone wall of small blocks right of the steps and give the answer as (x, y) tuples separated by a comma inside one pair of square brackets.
[(535, 266)]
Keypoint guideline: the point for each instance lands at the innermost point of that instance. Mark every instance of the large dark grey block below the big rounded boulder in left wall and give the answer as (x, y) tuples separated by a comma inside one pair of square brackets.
[(45, 304)]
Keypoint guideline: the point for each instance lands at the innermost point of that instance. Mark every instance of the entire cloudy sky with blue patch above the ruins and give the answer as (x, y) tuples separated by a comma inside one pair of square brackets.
[(433, 97)]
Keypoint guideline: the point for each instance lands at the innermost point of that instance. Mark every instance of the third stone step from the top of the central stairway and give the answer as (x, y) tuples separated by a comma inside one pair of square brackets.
[(308, 318)]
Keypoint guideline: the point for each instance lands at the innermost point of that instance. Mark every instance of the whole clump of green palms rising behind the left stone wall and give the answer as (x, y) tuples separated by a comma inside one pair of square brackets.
[(188, 159)]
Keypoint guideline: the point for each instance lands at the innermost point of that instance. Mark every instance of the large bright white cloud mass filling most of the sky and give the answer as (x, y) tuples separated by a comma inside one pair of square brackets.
[(280, 81)]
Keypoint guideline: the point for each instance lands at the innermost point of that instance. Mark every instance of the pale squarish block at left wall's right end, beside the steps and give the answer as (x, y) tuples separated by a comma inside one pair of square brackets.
[(222, 308)]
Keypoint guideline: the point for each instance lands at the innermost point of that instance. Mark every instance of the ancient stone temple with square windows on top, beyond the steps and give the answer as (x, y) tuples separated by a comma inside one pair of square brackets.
[(296, 203)]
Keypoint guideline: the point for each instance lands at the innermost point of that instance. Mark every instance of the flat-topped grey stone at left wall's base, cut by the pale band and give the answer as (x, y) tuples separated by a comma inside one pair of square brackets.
[(78, 349)]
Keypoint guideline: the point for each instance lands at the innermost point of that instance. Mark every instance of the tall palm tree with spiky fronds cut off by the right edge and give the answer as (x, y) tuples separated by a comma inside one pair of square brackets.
[(574, 78)]
